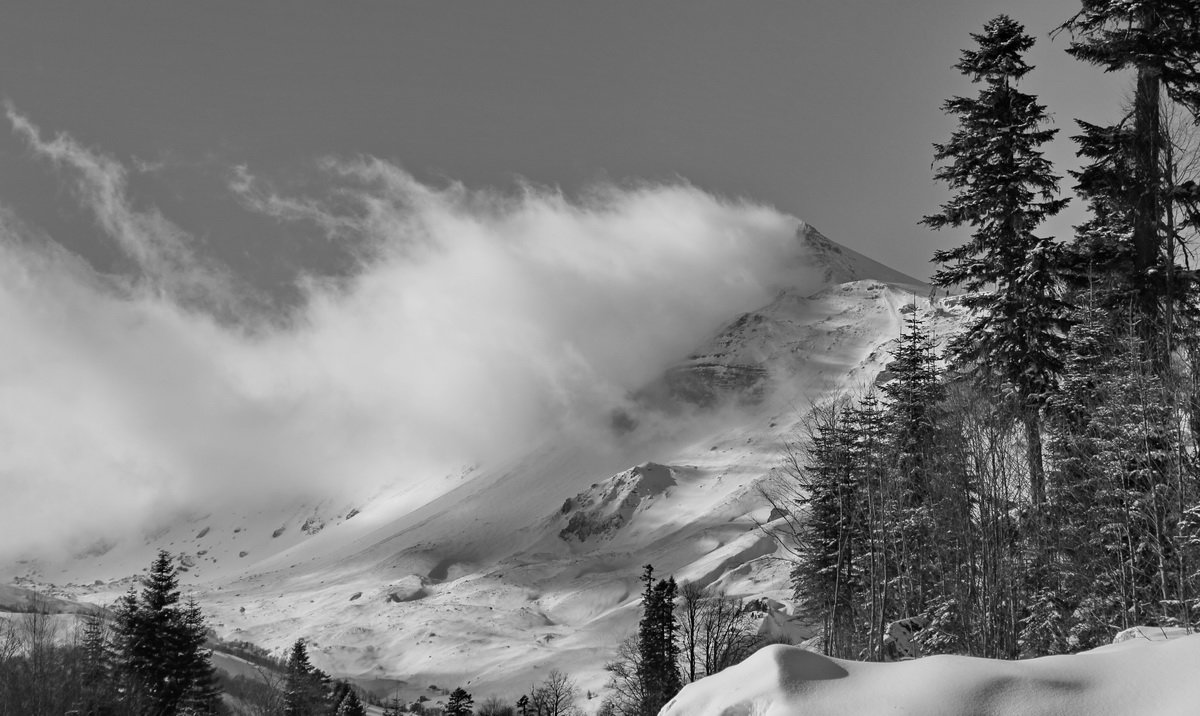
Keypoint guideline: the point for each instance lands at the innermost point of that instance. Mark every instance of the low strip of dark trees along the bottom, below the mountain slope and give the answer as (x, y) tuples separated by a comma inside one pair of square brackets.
[(152, 655)]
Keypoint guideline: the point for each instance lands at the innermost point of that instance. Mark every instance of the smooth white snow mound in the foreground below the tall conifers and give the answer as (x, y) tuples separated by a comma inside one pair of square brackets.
[(1129, 679)]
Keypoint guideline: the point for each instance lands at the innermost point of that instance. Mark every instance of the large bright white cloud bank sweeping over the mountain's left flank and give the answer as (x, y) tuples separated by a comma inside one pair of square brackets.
[(477, 324)]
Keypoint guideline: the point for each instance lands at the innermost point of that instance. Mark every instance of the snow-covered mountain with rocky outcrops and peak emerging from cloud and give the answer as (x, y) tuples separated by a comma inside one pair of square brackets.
[(491, 576)]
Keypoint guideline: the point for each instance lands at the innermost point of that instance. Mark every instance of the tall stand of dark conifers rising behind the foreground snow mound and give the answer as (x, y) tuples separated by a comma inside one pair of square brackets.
[(1036, 489)]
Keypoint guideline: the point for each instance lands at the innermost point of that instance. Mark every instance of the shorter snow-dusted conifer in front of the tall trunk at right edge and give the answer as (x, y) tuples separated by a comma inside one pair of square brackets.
[(1118, 555)]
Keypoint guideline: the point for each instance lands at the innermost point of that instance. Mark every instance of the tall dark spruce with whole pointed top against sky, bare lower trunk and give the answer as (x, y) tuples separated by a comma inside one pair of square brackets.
[(1005, 189)]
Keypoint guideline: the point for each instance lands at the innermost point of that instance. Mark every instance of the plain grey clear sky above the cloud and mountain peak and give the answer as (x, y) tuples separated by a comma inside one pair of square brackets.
[(824, 109)]
